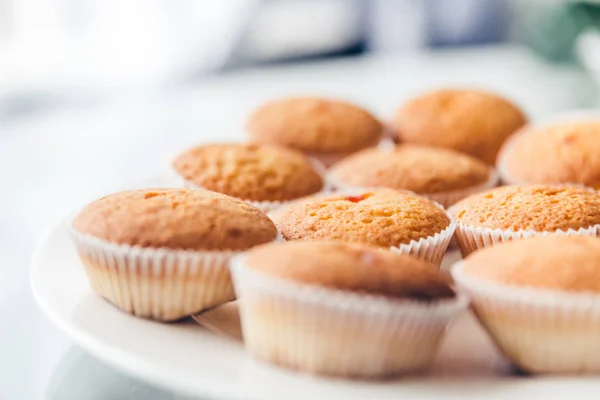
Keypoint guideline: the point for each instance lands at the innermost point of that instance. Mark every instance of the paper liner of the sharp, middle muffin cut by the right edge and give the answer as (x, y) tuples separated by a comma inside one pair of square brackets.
[(471, 238)]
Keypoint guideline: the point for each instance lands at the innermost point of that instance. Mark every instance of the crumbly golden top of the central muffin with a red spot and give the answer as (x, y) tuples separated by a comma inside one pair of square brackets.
[(380, 217)]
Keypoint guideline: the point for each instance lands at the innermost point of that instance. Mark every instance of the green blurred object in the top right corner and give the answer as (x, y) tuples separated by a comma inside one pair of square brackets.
[(555, 35)]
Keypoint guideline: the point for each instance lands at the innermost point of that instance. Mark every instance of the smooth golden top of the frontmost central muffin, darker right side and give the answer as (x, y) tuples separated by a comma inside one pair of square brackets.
[(351, 267)]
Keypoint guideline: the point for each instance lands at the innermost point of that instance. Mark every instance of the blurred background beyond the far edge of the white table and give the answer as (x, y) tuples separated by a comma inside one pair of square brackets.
[(54, 52)]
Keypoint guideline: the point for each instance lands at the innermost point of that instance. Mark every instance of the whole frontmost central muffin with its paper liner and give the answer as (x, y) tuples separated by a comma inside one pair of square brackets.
[(342, 309)]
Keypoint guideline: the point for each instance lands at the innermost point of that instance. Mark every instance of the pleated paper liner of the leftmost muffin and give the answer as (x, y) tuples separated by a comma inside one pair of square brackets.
[(161, 284)]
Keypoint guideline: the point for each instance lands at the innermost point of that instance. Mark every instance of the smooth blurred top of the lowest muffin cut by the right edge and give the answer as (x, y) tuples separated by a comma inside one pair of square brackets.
[(550, 262)]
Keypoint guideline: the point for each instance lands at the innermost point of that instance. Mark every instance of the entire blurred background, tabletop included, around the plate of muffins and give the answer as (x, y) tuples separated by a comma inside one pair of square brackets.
[(96, 93)]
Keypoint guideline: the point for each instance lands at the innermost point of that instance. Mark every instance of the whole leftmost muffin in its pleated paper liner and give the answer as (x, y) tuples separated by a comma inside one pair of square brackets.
[(163, 253)]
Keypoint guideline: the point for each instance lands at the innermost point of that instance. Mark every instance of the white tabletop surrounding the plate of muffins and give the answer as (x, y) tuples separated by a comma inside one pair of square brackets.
[(51, 163)]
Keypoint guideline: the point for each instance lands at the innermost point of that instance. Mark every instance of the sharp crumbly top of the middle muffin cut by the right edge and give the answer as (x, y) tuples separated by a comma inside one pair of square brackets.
[(530, 207)]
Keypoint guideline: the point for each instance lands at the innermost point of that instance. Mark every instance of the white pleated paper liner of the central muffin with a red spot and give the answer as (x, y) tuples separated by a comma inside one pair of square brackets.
[(431, 248)]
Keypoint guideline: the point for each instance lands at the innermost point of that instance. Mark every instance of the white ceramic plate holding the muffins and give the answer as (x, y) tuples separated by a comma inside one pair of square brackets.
[(194, 360)]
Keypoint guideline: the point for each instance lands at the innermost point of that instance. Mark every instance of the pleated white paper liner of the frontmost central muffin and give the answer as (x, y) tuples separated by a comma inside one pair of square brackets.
[(331, 332)]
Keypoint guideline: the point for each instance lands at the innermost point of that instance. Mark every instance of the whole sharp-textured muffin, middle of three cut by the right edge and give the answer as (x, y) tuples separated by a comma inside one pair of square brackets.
[(513, 212)]
